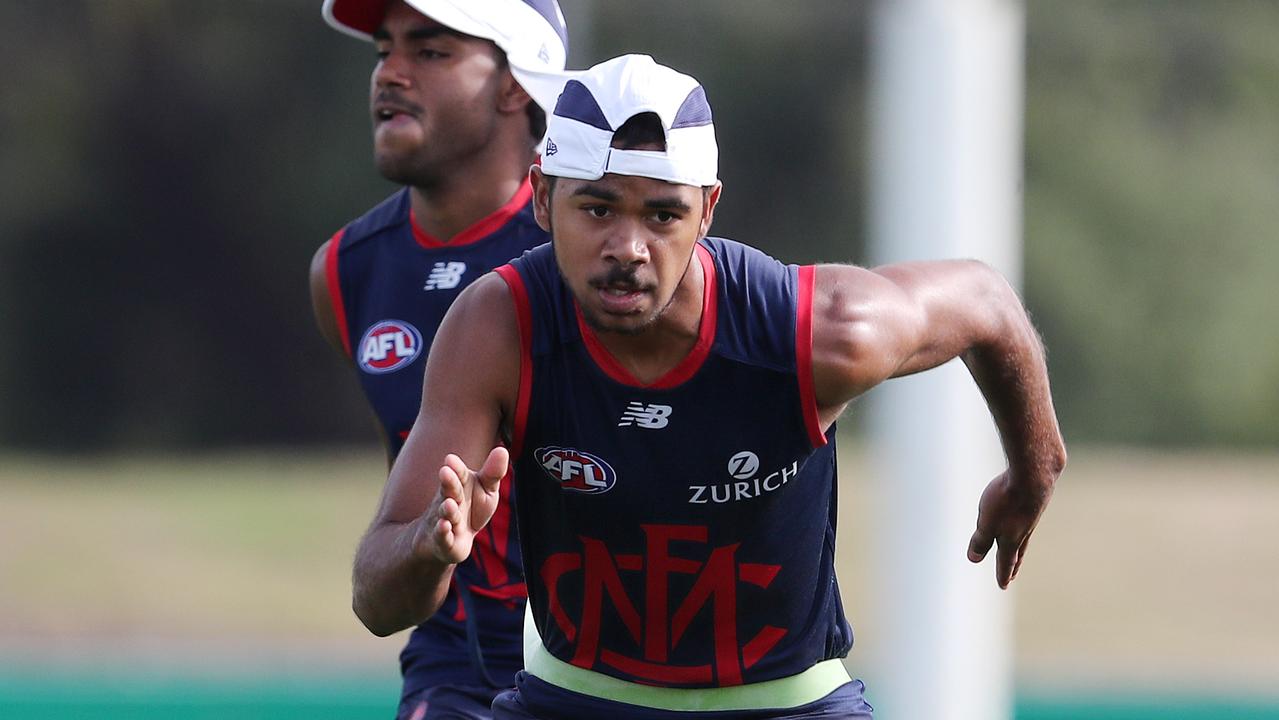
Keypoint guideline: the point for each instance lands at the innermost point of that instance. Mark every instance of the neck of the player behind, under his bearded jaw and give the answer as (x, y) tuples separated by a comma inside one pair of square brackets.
[(469, 194)]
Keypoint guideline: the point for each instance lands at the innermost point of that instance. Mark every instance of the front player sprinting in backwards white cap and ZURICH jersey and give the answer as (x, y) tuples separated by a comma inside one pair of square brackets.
[(670, 403)]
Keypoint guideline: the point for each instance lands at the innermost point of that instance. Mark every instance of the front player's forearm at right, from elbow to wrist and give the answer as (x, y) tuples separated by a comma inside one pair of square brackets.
[(1010, 368)]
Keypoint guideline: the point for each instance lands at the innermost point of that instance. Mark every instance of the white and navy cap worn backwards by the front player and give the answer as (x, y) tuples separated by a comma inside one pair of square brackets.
[(598, 102)]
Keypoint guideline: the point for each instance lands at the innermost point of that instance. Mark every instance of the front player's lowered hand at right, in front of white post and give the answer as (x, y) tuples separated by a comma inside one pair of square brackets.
[(1007, 516)]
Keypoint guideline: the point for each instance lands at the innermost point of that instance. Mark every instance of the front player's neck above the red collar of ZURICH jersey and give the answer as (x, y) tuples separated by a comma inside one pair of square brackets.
[(661, 348)]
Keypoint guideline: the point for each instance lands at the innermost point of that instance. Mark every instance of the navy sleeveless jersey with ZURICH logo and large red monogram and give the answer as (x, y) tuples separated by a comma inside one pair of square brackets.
[(682, 533)]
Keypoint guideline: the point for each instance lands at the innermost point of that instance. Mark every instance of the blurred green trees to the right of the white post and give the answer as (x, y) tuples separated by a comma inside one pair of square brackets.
[(1152, 187)]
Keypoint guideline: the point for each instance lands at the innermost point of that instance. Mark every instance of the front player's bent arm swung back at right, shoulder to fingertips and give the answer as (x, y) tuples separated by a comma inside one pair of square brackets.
[(872, 325)]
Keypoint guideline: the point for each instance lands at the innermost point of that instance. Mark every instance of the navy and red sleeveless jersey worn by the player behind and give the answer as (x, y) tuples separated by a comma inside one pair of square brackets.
[(391, 285)]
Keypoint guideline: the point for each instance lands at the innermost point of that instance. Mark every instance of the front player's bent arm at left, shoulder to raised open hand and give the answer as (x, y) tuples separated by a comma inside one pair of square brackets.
[(443, 488)]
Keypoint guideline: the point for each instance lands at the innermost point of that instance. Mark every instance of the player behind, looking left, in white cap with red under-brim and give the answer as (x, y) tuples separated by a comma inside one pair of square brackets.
[(459, 100)]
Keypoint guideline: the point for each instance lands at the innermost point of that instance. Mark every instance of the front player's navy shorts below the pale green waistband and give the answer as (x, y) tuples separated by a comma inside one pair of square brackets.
[(538, 700)]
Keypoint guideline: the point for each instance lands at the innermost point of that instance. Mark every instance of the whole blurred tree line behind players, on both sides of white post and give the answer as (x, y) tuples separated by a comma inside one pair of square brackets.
[(168, 168)]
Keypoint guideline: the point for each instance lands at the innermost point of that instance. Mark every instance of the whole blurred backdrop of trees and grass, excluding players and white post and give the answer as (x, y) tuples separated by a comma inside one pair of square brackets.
[(185, 466)]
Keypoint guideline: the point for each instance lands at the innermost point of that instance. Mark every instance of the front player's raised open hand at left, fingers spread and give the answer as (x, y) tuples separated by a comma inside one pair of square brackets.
[(464, 506)]
